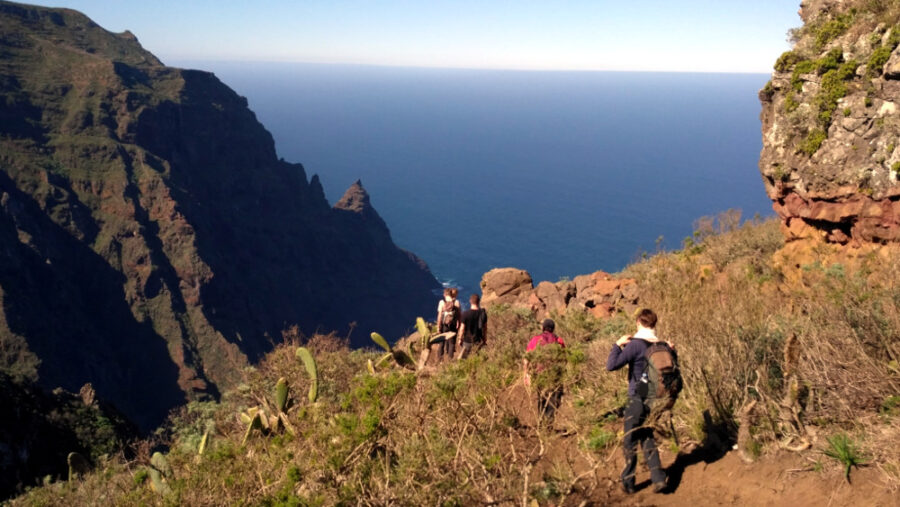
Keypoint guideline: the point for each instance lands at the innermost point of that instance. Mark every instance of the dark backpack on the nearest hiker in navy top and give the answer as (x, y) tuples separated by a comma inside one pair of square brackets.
[(663, 378)]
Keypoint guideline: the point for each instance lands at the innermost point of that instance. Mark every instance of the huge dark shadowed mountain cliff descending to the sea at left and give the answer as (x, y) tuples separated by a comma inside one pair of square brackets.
[(151, 242)]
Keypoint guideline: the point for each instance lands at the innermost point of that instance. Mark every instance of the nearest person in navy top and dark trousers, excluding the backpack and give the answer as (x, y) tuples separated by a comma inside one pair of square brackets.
[(631, 350)]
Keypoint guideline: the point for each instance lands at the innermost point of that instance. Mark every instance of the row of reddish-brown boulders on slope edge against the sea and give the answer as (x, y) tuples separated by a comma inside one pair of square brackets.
[(599, 293)]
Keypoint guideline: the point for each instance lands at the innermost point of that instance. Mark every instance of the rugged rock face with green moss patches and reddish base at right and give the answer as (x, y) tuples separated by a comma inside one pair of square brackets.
[(831, 124)]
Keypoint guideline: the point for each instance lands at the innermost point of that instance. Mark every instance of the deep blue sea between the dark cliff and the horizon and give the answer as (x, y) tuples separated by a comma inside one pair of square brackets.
[(558, 173)]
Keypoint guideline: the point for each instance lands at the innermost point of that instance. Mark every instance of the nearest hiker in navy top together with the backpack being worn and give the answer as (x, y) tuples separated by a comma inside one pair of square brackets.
[(653, 384)]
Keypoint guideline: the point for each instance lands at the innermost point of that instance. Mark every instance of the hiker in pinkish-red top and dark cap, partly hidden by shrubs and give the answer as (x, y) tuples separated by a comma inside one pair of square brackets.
[(543, 366)]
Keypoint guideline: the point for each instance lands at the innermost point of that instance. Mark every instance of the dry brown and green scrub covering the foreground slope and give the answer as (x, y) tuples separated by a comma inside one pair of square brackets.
[(776, 356)]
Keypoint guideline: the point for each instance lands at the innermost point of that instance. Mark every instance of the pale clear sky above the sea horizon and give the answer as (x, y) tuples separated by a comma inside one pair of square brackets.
[(645, 35)]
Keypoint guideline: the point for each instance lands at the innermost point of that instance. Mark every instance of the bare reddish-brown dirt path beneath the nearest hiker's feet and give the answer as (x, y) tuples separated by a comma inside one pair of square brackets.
[(706, 475)]
